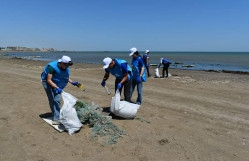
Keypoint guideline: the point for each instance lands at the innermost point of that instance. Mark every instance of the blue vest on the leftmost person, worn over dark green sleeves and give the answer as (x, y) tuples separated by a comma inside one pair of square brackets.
[(60, 78)]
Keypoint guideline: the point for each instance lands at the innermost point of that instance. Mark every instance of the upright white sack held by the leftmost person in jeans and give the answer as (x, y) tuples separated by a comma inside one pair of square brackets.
[(68, 115)]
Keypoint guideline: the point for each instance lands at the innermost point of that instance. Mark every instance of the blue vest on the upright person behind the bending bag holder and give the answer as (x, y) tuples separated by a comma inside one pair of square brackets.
[(136, 69)]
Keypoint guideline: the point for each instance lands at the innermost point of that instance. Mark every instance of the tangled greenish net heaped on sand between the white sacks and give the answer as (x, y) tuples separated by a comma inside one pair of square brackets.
[(102, 126)]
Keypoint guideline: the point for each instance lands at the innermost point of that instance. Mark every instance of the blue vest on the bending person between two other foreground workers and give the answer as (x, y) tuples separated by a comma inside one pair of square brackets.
[(117, 70)]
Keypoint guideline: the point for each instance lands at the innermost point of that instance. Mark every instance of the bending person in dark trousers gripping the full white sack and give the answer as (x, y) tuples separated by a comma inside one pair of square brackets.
[(122, 71)]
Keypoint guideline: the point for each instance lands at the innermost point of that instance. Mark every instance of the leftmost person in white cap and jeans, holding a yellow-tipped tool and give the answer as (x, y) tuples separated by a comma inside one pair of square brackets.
[(55, 77)]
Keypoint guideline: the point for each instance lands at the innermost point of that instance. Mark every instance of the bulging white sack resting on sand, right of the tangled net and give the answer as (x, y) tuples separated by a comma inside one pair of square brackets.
[(123, 108)]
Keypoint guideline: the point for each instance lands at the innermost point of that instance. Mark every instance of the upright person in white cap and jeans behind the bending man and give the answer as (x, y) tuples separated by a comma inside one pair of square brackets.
[(139, 74)]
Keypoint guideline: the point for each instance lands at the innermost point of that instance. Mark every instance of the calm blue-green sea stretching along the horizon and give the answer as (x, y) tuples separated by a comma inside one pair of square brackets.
[(232, 61)]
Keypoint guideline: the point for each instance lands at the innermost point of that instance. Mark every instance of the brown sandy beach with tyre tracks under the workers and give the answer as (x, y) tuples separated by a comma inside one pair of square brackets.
[(193, 115)]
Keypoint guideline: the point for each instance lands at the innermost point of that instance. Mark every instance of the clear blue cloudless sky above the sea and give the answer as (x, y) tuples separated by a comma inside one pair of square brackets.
[(118, 25)]
